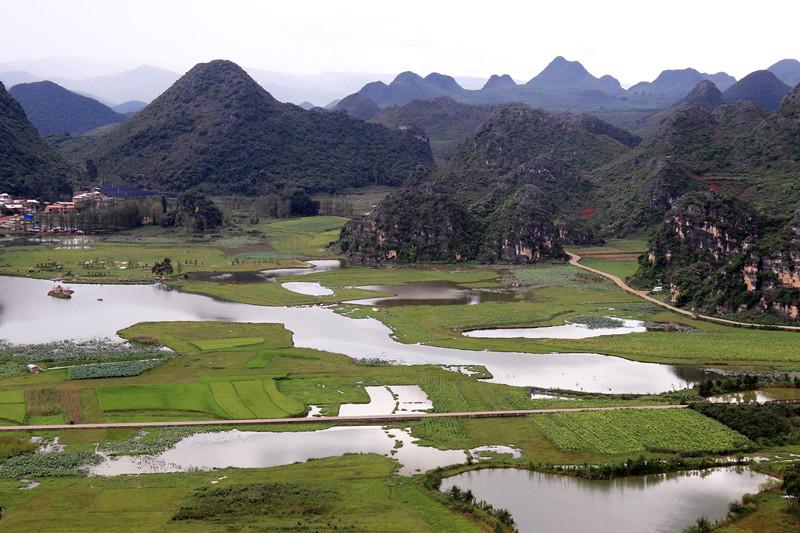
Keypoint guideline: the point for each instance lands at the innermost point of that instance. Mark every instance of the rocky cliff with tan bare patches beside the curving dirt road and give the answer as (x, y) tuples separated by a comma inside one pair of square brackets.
[(716, 254)]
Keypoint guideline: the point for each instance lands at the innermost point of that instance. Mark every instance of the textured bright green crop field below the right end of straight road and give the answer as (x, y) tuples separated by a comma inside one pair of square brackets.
[(617, 432)]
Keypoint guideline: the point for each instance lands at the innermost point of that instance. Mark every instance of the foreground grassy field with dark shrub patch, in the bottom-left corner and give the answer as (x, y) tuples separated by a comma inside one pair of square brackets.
[(348, 493)]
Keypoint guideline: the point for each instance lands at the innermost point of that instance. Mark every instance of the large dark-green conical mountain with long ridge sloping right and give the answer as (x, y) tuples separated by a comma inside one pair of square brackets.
[(217, 128)]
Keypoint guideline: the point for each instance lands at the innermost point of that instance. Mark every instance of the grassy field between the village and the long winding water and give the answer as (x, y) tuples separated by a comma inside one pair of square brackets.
[(129, 256)]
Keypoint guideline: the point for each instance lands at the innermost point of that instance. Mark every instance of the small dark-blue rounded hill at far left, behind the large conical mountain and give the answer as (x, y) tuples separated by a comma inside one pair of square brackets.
[(54, 109)]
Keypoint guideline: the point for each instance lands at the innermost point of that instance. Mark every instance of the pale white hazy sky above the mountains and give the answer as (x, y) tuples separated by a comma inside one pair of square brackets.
[(632, 40)]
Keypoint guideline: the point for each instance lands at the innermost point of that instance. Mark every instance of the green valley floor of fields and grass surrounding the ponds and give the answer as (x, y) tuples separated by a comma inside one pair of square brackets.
[(226, 371)]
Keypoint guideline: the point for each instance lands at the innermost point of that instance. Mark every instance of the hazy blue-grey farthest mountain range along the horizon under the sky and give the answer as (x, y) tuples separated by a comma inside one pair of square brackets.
[(579, 89)]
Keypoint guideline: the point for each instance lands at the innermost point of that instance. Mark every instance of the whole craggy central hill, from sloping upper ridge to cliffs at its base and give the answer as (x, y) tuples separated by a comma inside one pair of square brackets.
[(512, 192)]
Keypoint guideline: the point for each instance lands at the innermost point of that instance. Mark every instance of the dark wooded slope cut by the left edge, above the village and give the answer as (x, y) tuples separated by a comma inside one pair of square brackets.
[(28, 166)]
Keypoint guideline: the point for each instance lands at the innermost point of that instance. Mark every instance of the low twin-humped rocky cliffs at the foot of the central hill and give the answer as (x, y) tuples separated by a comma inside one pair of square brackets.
[(423, 226)]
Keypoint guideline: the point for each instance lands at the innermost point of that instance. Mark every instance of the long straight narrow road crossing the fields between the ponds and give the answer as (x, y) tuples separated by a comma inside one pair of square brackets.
[(372, 419)]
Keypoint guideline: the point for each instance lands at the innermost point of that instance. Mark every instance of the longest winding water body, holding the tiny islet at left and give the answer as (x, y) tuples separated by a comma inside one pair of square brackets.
[(28, 315)]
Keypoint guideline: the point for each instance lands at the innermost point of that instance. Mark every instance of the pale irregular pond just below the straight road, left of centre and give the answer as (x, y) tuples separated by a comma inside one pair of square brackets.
[(262, 449)]
